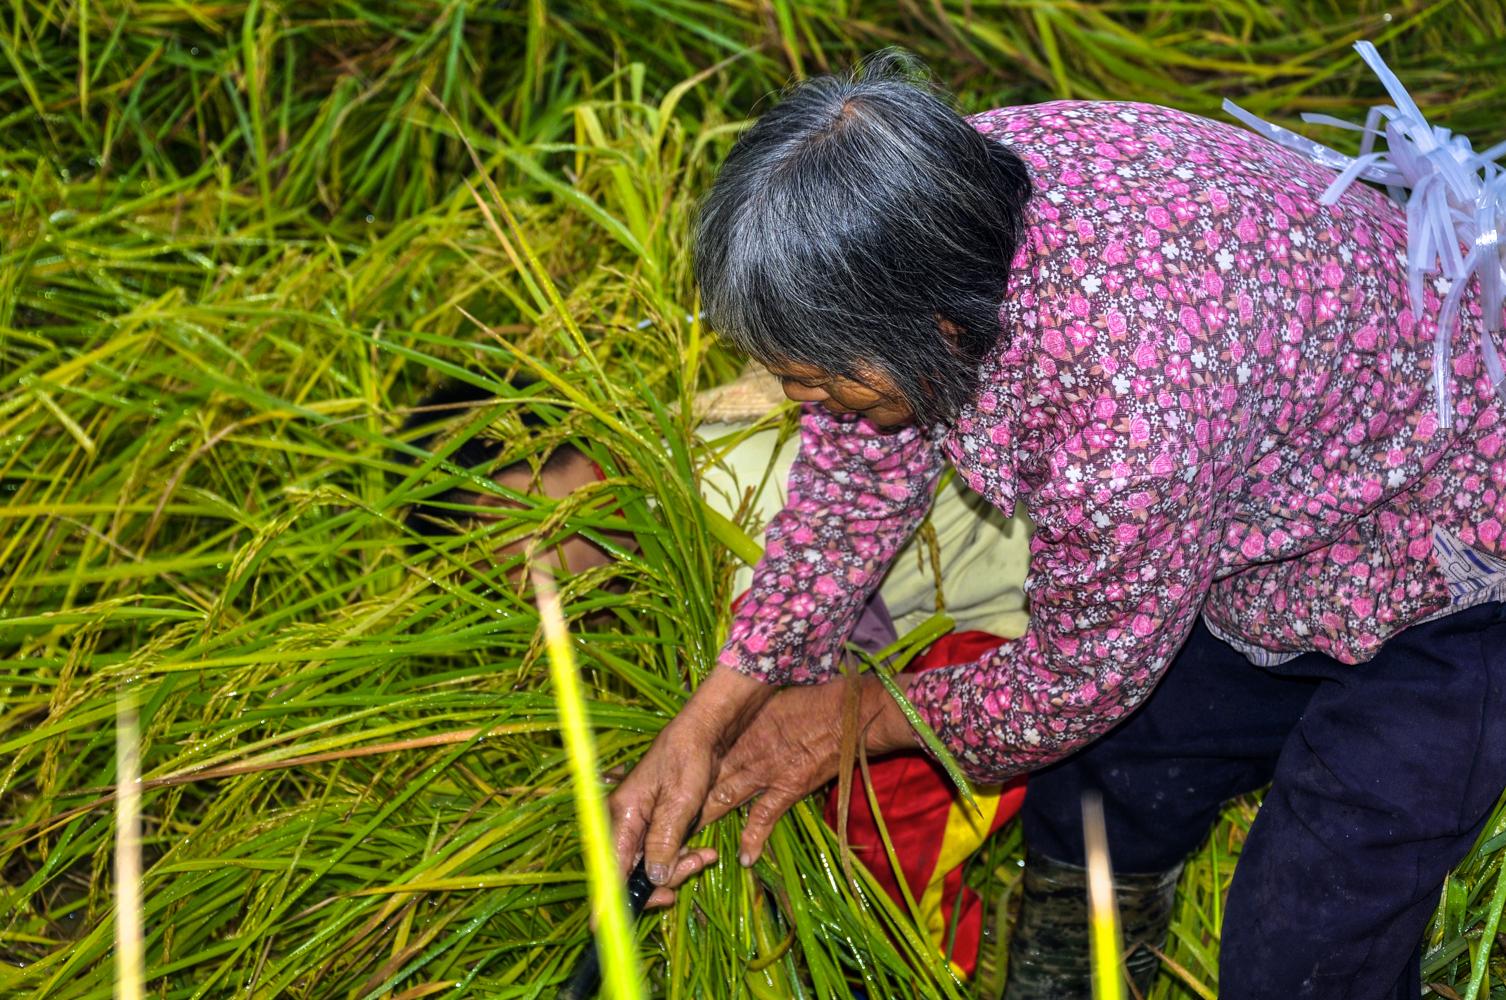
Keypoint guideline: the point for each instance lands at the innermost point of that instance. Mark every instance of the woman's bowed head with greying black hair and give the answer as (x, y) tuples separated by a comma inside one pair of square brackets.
[(859, 237)]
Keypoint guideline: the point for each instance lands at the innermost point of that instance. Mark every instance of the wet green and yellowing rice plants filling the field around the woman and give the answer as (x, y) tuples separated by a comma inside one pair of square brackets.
[(240, 243)]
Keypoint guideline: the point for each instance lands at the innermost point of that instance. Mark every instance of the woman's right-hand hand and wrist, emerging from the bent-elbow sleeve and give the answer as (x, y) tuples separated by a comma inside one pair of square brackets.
[(794, 748)]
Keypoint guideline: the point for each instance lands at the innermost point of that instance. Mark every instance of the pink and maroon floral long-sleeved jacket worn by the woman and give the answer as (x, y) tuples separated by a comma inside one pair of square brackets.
[(1212, 397)]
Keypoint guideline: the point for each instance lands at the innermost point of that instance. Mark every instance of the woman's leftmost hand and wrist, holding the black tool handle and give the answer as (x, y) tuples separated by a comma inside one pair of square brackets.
[(662, 796)]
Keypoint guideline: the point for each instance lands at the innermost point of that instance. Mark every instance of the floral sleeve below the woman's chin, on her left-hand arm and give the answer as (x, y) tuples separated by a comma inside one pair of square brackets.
[(856, 495)]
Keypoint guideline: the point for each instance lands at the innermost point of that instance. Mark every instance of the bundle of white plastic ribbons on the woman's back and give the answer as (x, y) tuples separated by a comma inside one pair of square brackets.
[(1453, 197)]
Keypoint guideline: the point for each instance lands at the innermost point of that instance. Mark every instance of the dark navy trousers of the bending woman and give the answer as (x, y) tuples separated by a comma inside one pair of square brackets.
[(1380, 776)]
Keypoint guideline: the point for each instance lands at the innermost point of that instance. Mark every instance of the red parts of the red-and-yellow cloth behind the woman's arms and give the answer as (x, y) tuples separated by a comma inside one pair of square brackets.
[(915, 797)]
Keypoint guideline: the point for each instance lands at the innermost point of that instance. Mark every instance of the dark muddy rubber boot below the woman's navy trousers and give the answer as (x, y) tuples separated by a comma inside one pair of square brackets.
[(1049, 950)]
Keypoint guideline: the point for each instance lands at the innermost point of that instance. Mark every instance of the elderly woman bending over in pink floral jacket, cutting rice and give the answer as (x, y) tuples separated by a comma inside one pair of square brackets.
[(1269, 520)]
